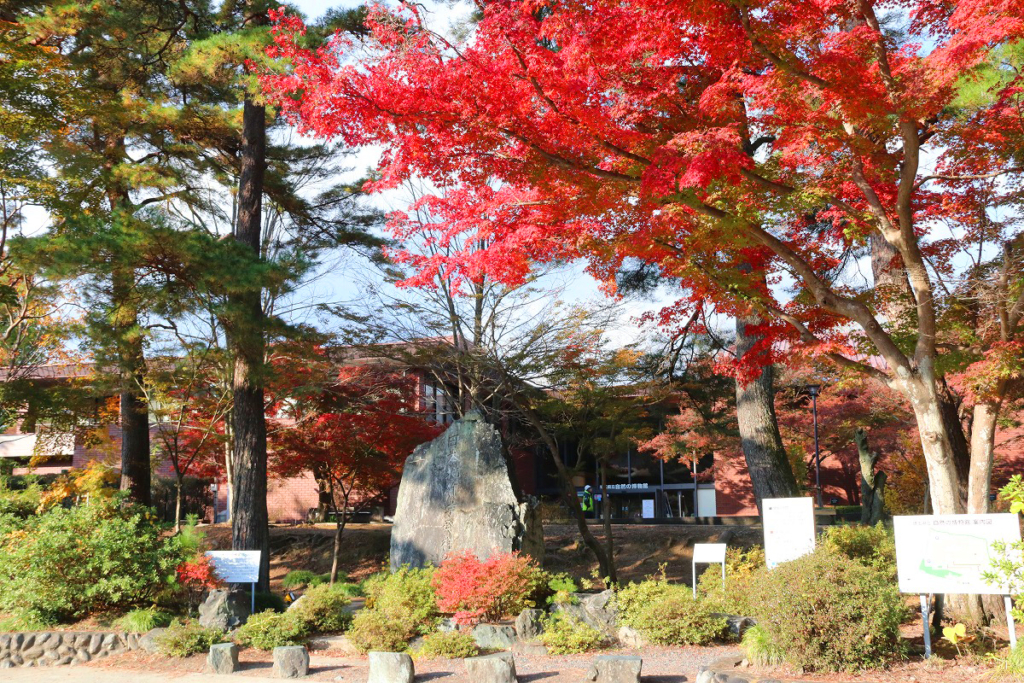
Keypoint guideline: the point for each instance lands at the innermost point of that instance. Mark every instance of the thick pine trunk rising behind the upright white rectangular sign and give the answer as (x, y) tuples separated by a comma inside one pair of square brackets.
[(772, 475)]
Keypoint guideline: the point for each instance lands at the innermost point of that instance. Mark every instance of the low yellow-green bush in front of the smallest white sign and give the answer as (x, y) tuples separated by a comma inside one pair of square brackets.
[(668, 615)]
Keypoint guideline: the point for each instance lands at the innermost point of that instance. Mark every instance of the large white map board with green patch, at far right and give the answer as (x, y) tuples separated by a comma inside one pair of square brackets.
[(949, 553)]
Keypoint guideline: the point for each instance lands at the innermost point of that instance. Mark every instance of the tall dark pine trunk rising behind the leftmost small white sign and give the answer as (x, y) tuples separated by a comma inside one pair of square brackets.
[(249, 520)]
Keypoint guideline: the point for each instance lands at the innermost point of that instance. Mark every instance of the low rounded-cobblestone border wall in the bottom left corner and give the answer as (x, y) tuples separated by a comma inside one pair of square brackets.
[(47, 649)]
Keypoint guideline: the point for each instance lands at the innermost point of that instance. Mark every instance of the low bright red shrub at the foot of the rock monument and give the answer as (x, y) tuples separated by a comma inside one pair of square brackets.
[(475, 590)]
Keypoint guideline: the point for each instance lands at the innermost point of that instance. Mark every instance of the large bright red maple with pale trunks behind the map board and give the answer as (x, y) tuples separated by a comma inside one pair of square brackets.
[(751, 151)]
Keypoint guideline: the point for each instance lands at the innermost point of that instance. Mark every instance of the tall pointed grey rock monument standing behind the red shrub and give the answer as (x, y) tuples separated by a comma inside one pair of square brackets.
[(456, 495)]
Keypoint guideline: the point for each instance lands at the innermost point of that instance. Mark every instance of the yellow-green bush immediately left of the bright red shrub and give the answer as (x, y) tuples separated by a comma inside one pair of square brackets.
[(400, 607)]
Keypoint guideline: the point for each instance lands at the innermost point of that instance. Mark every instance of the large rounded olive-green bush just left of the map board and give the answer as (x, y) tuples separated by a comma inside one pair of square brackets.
[(827, 612)]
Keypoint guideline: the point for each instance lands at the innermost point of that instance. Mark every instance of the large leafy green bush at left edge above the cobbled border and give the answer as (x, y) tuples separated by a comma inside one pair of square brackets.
[(66, 564)]
